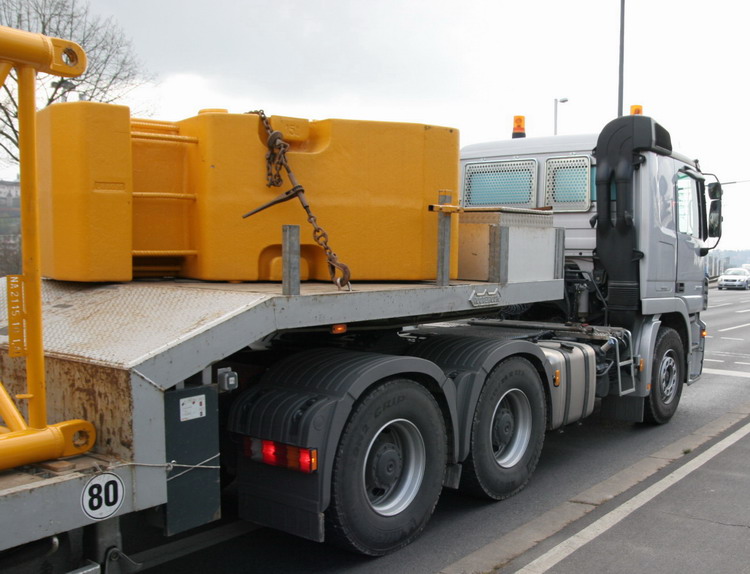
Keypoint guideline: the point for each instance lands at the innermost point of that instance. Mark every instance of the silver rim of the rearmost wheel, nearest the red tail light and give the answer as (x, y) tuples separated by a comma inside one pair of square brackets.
[(394, 467)]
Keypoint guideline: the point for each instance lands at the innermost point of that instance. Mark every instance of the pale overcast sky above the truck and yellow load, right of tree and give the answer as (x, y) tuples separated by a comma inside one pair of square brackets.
[(469, 64)]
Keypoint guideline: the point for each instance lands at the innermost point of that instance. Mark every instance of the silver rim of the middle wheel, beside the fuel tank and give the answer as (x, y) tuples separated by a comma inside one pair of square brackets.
[(510, 431)]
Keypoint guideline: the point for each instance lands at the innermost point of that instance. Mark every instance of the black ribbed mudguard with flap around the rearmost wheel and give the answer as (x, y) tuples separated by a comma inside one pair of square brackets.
[(305, 400)]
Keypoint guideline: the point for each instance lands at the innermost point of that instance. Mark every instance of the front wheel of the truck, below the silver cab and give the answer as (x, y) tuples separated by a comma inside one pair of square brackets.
[(667, 375)]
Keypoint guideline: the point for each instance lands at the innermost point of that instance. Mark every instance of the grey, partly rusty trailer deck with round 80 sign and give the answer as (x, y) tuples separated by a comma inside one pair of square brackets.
[(113, 350)]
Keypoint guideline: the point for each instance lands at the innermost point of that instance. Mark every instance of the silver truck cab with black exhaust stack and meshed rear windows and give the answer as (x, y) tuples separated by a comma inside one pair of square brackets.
[(634, 261)]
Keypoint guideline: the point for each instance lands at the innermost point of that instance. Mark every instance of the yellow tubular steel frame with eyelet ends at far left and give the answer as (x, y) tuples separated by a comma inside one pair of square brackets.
[(35, 441)]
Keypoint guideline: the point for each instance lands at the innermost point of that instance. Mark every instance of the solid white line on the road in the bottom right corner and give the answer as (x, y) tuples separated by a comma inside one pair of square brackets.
[(567, 547)]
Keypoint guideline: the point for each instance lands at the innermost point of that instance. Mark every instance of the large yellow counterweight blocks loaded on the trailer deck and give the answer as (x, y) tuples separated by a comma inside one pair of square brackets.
[(128, 198)]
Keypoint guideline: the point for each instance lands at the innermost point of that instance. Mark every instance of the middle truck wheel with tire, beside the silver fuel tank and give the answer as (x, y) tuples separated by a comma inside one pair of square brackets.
[(507, 432)]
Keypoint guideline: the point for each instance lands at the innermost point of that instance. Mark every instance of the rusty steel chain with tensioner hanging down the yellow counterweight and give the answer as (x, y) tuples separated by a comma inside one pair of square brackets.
[(276, 161)]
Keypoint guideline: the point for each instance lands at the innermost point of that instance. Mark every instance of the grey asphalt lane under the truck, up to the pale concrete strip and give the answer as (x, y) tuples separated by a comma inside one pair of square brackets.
[(572, 461)]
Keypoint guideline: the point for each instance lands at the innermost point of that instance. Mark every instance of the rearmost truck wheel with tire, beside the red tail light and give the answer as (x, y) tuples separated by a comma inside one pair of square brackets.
[(388, 471)]
